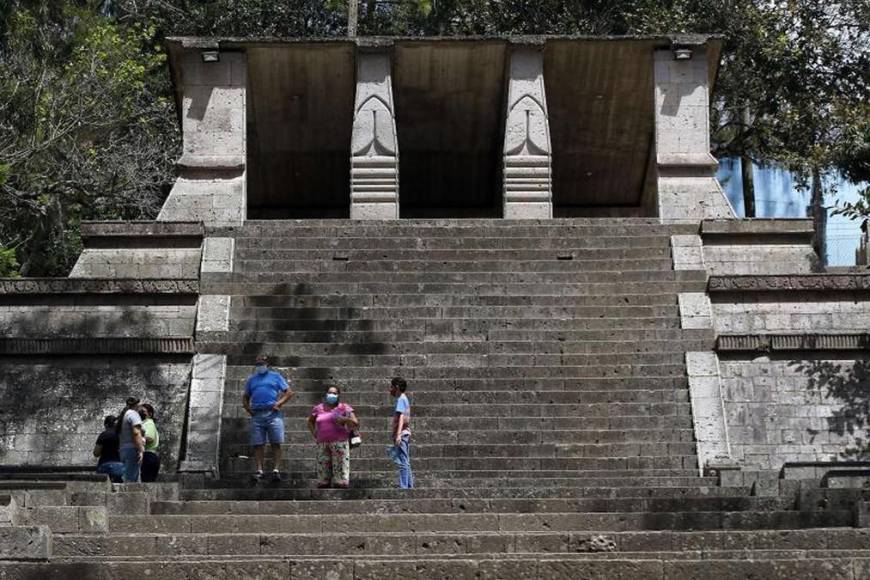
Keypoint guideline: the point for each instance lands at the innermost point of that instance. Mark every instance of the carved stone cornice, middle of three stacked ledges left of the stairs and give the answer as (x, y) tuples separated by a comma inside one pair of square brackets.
[(37, 286)]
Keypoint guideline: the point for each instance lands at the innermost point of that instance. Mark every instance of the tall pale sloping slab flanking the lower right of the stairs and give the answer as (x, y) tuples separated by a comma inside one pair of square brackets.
[(708, 409)]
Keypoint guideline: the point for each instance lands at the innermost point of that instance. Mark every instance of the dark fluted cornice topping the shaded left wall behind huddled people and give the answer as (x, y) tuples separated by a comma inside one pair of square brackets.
[(96, 345)]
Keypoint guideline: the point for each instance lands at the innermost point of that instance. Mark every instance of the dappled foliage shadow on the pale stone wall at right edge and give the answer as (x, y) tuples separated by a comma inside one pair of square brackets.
[(847, 384)]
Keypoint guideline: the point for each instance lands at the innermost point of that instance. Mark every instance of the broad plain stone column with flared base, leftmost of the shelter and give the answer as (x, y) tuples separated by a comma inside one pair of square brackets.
[(211, 182)]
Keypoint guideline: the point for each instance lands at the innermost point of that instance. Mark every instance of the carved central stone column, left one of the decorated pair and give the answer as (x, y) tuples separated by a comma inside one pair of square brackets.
[(374, 161)]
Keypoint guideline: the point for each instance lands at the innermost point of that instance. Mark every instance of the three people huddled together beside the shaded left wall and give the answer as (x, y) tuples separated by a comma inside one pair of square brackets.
[(127, 447)]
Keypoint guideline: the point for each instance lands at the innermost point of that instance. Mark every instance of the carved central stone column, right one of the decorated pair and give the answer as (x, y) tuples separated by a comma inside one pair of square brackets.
[(528, 187)]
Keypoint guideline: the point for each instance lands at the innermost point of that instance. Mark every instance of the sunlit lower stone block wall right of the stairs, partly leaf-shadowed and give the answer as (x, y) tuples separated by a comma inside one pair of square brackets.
[(796, 408)]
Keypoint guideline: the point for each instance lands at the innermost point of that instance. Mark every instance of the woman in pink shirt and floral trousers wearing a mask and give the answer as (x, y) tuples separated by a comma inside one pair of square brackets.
[(330, 424)]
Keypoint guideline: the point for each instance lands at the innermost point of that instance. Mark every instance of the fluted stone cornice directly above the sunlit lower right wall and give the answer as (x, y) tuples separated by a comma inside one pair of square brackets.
[(791, 342)]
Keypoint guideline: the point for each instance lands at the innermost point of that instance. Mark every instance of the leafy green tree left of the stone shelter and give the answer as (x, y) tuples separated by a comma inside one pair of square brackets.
[(86, 128)]
